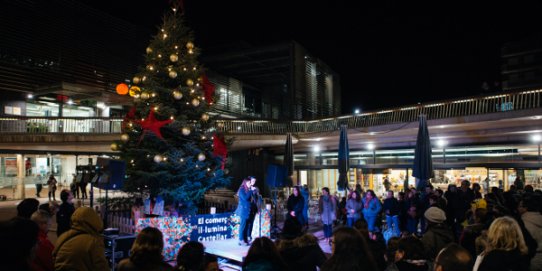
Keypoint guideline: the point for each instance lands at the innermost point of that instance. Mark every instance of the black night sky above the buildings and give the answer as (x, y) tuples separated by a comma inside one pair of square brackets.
[(387, 53)]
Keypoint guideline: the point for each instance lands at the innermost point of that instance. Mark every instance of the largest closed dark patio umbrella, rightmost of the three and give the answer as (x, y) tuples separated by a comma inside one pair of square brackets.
[(423, 162)]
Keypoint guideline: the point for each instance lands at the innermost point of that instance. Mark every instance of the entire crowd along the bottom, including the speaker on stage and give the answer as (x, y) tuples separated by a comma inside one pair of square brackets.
[(460, 229)]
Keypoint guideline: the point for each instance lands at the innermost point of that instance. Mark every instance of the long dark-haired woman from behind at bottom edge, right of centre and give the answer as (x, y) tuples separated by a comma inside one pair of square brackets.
[(349, 252)]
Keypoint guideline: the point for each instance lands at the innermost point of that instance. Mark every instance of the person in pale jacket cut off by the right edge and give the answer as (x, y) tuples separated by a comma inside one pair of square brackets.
[(532, 219)]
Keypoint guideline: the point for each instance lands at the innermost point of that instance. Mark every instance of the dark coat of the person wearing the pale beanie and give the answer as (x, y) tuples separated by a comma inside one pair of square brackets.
[(435, 239)]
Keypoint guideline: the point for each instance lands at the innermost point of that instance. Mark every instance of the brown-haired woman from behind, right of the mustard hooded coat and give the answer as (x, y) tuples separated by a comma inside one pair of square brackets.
[(146, 252)]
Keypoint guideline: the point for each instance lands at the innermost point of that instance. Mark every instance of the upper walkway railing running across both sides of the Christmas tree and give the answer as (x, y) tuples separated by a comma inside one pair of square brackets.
[(502, 102)]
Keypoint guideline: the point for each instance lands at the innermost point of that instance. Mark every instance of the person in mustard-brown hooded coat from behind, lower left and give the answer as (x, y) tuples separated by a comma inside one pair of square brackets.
[(82, 247)]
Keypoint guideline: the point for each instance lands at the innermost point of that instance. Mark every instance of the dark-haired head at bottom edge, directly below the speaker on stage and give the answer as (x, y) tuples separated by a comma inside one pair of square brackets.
[(263, 255)]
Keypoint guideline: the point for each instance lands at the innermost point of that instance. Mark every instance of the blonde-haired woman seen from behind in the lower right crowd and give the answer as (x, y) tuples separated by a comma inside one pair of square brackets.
[(505, 249)]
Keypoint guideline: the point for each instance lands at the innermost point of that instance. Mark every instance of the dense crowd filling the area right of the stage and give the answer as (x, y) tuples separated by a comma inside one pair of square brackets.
[(496, 231)]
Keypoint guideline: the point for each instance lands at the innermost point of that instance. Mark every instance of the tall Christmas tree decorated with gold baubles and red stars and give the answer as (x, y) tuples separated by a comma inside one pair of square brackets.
[(169, 142)]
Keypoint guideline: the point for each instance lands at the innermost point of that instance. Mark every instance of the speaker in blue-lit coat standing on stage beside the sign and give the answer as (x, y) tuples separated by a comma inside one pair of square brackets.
[(243, 210)]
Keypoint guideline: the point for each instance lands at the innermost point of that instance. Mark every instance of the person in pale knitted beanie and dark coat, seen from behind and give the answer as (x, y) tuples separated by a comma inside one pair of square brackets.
[(438, 235)]
